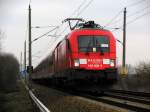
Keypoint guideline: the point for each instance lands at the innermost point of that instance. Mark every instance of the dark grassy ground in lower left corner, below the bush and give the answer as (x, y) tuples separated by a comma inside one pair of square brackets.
[(15, 101)]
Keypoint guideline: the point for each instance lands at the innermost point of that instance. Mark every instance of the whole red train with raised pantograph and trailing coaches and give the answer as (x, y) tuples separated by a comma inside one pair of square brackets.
[(87, 53)]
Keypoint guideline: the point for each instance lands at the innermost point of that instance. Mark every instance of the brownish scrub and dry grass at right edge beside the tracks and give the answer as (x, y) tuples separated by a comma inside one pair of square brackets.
[(137, 82)]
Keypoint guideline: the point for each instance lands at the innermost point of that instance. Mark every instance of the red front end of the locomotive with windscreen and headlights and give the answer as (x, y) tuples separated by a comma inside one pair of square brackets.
[(94, 54)]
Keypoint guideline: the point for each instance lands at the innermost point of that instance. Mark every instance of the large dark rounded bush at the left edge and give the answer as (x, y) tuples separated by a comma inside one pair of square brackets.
[(9, 70)]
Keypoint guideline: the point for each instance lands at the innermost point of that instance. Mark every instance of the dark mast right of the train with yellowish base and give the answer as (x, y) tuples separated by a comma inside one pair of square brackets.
[(124, 71)]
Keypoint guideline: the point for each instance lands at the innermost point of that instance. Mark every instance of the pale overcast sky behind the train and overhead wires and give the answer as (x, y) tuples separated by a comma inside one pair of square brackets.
[(14, 18)]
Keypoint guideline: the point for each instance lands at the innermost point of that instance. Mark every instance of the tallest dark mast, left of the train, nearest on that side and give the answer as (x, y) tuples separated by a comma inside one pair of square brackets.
[(30, 49)]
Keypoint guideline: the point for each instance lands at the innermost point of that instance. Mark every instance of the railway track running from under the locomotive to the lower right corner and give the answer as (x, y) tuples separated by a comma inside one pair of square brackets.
[(129, 100)]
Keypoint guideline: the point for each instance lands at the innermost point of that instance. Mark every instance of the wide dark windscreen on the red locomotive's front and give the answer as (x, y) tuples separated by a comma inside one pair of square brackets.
[(87, 43)]
